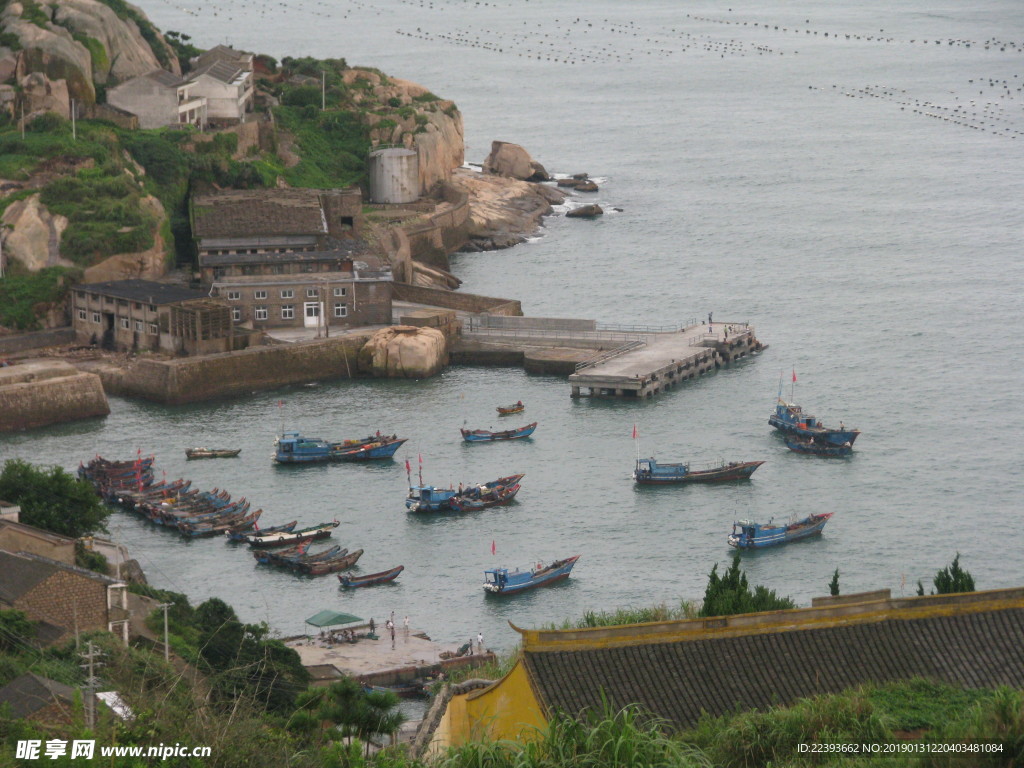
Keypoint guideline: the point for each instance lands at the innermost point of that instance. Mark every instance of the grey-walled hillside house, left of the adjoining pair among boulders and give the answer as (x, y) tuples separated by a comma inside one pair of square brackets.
[(161, 99)]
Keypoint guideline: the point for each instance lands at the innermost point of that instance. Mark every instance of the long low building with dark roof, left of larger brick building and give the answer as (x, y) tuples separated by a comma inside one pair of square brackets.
[(135, 315)]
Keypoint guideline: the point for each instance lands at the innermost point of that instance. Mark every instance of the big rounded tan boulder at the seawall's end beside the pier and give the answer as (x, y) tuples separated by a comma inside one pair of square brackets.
[(404, 353)]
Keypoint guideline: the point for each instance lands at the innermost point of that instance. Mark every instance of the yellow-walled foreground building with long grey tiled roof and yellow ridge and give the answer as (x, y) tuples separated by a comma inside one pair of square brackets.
[(681, 670)]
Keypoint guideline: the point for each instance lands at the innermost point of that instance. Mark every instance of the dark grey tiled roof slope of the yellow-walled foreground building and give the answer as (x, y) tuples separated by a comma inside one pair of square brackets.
[(679, 680)]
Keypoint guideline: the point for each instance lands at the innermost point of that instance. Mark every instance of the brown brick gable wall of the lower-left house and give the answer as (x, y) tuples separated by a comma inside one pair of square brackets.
[(68, 601)]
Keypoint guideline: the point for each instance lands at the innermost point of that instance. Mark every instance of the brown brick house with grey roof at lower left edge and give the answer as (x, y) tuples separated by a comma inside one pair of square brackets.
[(73, 600)]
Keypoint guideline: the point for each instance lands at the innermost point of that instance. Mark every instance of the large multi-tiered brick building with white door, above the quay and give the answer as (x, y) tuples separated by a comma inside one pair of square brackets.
[(290, 259)]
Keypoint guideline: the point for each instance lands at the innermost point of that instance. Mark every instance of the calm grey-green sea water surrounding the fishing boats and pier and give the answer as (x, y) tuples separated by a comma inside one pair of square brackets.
[(845, 177)]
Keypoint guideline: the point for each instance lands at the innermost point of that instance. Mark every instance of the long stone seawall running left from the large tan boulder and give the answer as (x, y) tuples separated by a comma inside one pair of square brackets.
[(232, 374)]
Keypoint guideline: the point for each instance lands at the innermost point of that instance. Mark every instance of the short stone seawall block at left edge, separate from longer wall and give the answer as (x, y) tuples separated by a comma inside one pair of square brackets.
[(35, 395)]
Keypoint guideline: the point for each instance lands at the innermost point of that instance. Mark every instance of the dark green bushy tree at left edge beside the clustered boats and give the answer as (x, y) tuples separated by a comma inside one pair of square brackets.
[(53, 499)]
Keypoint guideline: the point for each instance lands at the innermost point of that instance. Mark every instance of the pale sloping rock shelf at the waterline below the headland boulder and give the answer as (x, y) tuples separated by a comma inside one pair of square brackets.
[(504, 211)]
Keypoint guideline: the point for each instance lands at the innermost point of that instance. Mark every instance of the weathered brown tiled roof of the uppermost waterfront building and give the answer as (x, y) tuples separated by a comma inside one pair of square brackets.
[(254, 212)]
